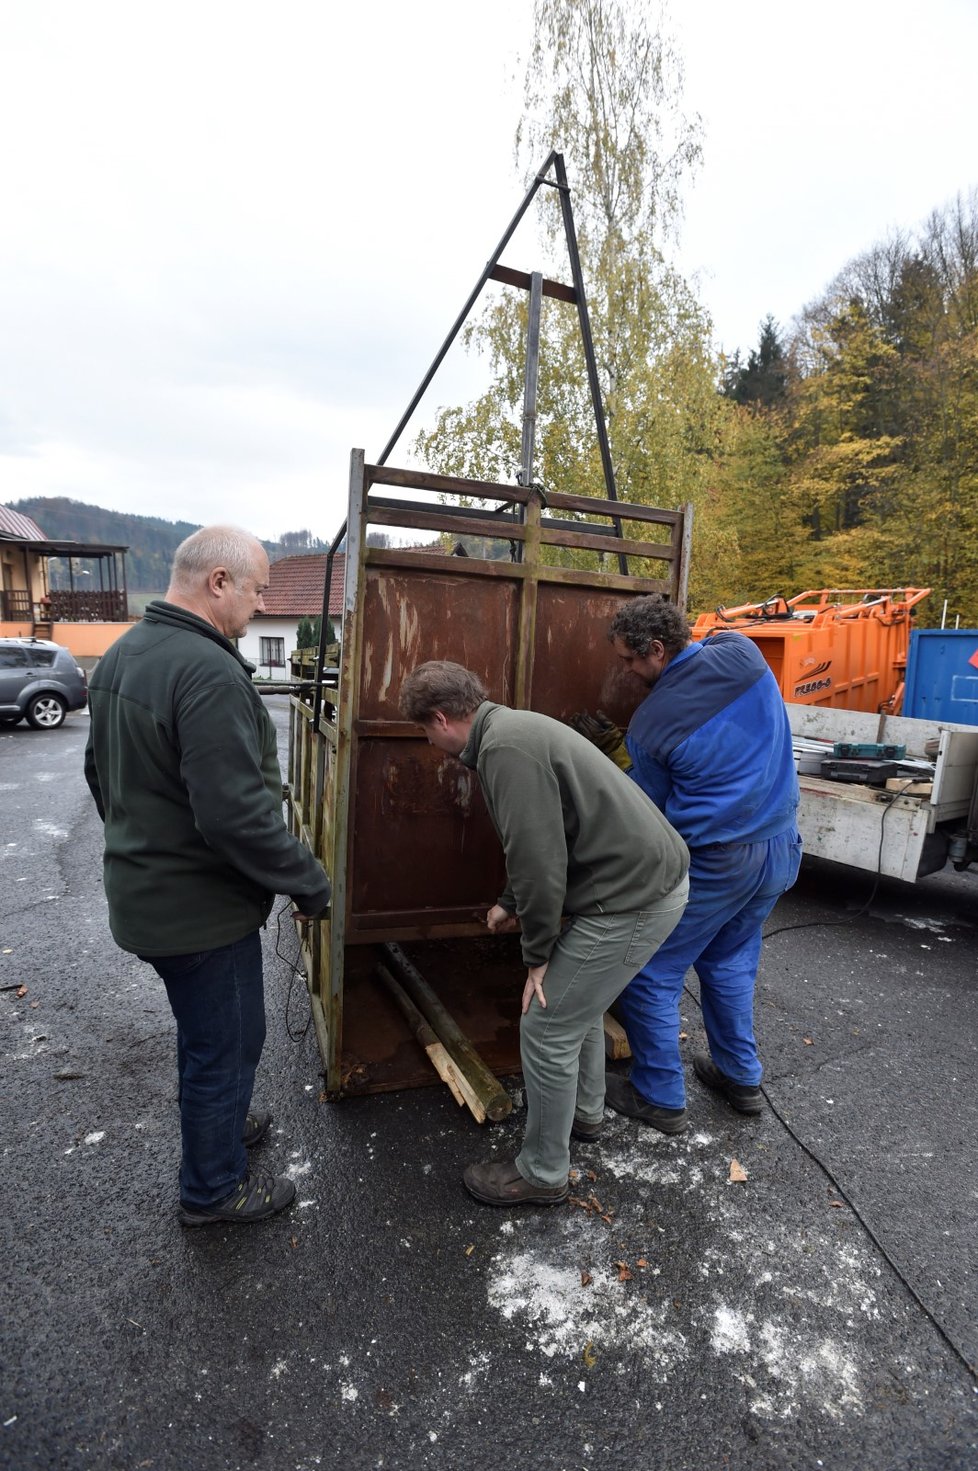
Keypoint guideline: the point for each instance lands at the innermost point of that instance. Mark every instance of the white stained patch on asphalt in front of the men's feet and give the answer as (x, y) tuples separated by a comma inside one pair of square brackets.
[(776, 1308)]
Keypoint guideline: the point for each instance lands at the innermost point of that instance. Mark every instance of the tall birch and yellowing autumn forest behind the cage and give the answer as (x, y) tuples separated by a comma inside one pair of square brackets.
[(842, 454)]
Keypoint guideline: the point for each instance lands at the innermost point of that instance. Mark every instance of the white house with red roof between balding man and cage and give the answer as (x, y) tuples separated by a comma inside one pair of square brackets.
[(295, 591)]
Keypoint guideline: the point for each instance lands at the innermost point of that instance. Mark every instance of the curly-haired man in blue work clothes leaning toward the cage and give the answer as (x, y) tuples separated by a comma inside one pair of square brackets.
[(711, 745)]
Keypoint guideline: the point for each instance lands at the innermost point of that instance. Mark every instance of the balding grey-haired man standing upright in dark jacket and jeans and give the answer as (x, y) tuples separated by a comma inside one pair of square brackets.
[(183, 766)]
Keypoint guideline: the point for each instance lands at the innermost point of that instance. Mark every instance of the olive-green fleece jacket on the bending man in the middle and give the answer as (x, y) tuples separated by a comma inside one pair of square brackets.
[(580, 838)]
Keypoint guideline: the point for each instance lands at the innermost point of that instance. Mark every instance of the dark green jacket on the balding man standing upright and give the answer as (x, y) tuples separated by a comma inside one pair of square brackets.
[(183, 766)]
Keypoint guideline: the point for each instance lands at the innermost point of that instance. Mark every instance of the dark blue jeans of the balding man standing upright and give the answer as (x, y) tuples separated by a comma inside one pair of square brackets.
[(218, 1000)]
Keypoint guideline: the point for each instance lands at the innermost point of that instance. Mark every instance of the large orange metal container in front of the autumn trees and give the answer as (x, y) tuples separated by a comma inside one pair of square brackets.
[(840, 648)]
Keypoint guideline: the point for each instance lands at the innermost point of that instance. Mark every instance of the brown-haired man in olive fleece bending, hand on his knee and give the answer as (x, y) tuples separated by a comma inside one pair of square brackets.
[(583, 844)]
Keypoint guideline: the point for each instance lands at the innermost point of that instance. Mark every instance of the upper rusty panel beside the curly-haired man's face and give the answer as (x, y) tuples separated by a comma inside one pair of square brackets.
[(574, 666)]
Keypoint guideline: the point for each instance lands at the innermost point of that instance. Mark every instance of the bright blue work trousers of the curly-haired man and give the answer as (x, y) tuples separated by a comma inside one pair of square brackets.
[(733, 889)]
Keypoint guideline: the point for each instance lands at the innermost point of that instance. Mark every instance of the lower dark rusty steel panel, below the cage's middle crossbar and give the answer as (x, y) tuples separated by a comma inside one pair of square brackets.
[(424, 841)]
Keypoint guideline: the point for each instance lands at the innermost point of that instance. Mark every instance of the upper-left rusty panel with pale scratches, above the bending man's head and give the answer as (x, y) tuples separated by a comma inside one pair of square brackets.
[(413, 616)]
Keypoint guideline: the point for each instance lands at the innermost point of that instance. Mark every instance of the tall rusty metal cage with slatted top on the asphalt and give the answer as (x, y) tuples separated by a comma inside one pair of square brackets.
[(401, 827)]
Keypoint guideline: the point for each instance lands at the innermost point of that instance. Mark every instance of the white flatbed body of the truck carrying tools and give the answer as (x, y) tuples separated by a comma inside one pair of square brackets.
[(899, 836)]
